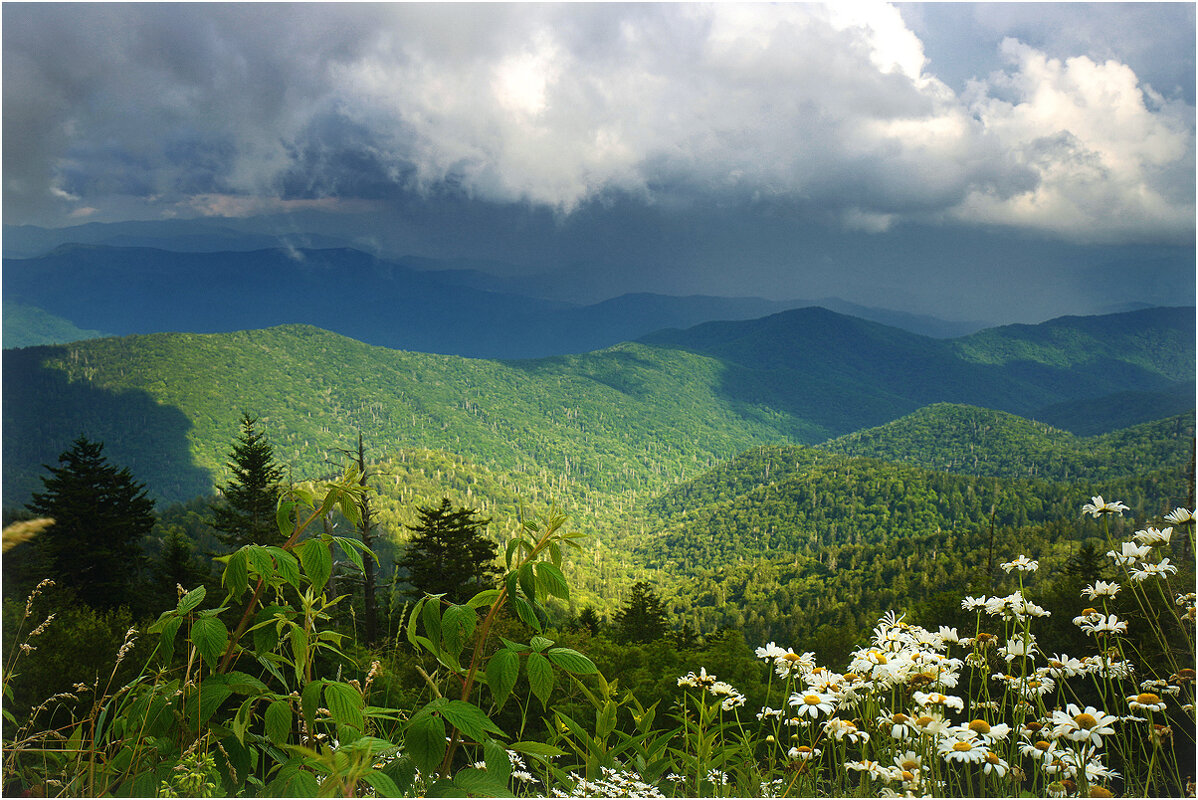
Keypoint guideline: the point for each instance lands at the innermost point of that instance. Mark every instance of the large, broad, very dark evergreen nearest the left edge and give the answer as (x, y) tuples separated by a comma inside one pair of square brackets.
[(101, 516)]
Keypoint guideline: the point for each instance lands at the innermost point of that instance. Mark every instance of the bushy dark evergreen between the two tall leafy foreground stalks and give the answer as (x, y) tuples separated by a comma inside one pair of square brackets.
[(450, 554)]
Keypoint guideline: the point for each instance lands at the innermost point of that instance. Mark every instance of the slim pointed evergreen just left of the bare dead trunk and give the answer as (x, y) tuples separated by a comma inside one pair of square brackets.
[(247, 512)]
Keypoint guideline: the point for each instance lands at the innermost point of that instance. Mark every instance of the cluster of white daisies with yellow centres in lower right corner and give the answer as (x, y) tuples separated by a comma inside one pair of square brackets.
[(921, 712)]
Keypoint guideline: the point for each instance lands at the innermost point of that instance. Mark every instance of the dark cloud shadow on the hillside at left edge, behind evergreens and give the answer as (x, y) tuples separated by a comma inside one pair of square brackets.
[(45, 413)]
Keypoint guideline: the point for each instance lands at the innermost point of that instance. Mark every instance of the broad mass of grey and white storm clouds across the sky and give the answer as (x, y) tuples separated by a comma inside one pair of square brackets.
[(190, 110)]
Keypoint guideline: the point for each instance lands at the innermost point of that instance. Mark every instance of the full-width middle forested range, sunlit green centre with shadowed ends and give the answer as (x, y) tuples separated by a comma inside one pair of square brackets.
[(633, 416)]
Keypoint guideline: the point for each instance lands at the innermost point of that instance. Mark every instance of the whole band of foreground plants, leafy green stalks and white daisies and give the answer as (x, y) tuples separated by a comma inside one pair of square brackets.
[(262, 696)]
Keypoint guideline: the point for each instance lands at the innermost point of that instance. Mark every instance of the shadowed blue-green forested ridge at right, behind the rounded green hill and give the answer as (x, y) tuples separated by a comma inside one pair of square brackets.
[(846, 374)]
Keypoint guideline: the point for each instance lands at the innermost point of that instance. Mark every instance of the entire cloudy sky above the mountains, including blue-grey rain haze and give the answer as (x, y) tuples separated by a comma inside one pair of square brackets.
[(1005, 162)]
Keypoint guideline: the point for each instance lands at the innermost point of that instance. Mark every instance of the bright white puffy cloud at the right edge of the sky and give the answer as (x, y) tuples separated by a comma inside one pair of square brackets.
[(1114, 161)]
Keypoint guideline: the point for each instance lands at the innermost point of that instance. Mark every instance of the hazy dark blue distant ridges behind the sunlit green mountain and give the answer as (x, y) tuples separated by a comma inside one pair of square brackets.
[(160, 277)]
